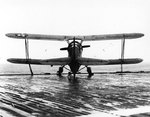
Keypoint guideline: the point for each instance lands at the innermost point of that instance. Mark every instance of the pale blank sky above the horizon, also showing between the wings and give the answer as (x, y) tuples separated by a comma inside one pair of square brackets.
[(75, 17)]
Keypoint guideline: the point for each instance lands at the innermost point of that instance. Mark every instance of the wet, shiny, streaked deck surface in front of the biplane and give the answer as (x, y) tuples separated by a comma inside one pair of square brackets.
[(53, 96)]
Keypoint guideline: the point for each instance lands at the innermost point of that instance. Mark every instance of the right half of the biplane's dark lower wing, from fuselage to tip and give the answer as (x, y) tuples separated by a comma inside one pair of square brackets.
[(91, 61)]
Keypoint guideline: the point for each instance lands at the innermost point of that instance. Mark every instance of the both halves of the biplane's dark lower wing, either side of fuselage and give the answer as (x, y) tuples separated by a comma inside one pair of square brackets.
[(82, 61)]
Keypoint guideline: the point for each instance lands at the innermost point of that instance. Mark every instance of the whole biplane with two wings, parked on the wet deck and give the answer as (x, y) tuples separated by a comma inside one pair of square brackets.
[(75, 48)]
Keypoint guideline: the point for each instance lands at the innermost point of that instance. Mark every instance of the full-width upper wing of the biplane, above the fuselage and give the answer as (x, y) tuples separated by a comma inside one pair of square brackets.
[(83, 38)]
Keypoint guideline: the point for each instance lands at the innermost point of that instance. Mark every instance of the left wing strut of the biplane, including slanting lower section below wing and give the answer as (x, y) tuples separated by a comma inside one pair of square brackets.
[(27, 53)]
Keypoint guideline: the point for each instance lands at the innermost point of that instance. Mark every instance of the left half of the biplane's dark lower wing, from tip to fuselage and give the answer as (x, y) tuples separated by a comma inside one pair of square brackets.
[(55, 61)]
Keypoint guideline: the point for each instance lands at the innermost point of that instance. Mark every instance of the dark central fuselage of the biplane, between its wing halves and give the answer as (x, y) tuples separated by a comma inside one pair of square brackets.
[(74, 51)]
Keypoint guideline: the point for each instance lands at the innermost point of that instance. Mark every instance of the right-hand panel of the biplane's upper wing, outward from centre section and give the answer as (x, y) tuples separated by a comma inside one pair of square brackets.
[(113, 36)]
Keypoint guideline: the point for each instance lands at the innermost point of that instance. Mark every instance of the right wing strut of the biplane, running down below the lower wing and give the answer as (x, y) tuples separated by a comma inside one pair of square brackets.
[(122, 52)]
